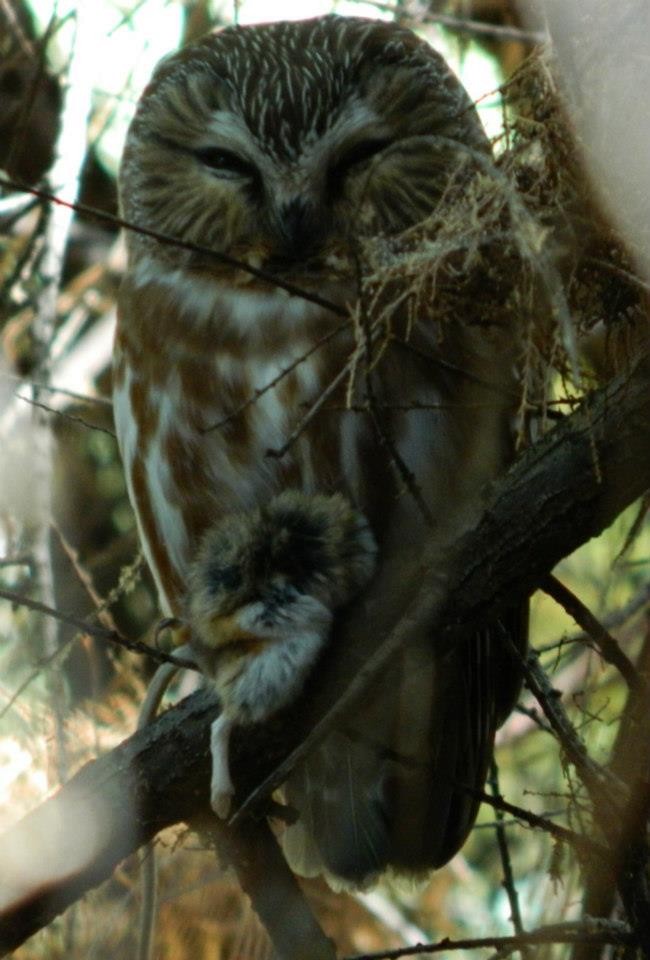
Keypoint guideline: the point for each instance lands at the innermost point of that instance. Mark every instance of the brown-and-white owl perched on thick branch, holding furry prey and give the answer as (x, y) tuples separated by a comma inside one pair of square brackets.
[(292, 148)]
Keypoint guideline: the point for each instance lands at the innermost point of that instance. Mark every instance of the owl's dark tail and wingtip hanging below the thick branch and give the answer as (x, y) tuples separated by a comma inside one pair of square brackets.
[(389, 789)]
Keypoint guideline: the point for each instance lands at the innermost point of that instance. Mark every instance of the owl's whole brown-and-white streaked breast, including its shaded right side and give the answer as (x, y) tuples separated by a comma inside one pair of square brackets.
[(224, 397)]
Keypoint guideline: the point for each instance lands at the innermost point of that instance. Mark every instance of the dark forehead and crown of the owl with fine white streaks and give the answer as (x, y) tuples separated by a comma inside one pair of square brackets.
[(289, 81)]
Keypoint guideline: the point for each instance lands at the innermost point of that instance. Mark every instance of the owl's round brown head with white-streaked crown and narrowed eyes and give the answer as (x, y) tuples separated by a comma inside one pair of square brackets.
[(281, 143)]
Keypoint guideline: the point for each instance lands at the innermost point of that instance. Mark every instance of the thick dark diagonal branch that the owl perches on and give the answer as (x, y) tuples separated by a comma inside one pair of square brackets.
[(551, 501)]
